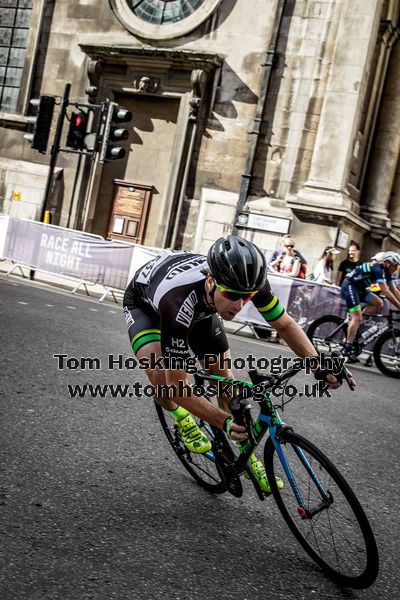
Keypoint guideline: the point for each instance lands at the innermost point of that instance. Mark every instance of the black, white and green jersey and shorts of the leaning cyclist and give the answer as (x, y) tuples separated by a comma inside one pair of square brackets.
[(170, 293)]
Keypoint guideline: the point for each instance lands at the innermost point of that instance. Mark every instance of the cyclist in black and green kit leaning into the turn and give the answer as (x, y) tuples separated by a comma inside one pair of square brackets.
[(177, 303)]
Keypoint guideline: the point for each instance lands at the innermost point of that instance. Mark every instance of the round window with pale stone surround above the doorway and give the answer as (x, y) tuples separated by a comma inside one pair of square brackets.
[(162, 19)]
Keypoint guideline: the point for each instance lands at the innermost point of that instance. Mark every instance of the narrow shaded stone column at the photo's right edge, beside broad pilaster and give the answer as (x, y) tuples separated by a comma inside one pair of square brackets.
[(385, 151)]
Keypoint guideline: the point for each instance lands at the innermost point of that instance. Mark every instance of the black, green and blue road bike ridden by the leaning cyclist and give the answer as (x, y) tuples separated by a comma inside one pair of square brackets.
[(316, 501)]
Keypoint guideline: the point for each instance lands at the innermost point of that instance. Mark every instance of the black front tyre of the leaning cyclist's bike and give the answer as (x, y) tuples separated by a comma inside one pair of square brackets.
[(370, 572)]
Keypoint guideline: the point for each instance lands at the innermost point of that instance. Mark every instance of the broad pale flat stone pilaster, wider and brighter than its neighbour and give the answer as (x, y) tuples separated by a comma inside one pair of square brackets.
[(341, 111)]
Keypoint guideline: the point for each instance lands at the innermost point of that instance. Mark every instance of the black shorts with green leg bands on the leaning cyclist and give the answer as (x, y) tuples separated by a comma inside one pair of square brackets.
[(206, 336)]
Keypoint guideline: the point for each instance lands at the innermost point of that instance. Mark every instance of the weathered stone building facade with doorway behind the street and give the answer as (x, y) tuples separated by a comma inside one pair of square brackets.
[(257, 117)]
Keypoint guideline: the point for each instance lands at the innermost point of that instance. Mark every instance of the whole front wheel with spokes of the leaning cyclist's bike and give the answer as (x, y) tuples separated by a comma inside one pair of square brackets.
[(329, 523)]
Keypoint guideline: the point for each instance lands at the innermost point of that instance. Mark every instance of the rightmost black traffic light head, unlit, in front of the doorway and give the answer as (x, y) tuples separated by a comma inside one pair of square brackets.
[(114, 133)]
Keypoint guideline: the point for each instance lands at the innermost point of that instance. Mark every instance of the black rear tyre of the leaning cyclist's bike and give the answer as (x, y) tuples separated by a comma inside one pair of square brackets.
[(211, 482)]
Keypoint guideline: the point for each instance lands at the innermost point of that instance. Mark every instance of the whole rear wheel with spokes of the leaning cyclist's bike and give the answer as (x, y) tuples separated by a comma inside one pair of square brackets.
[(206, 468)]
